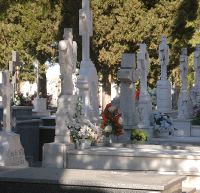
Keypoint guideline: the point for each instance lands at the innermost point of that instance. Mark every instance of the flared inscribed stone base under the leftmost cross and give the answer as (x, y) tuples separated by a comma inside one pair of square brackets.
[(11, 150)]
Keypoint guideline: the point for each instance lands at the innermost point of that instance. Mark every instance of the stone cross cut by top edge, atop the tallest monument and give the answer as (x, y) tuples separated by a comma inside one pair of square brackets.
[(85, 28)]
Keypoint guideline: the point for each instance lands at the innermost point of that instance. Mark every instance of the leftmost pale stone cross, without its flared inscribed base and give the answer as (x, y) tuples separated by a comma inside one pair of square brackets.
[(6, 91)]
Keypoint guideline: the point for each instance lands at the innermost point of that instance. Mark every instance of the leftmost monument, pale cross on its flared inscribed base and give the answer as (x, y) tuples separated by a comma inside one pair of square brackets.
[(11, 150)]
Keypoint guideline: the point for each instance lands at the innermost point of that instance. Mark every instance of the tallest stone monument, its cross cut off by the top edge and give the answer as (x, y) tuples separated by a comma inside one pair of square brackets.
[(87, 82)]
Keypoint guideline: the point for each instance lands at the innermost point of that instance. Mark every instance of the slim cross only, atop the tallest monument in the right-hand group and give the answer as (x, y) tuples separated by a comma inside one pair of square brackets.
[(164, 57)]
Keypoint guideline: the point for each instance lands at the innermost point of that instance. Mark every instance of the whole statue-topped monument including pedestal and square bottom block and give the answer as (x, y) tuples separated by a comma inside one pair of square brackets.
[(54, 154)]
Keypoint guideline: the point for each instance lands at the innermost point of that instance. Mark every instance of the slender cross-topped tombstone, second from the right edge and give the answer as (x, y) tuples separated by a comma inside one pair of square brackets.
[(184, 103)]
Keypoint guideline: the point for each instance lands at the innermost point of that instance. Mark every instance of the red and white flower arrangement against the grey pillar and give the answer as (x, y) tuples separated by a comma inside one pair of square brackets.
[(111, 121)]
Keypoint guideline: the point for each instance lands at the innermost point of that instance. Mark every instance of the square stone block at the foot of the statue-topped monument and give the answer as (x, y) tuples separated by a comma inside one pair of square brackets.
[(55, 155)]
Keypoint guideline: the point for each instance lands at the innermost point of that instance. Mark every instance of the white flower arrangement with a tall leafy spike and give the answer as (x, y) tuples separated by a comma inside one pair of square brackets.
[(80, 127)]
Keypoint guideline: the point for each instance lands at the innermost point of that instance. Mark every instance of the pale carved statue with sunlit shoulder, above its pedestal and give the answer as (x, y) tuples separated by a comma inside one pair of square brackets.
[(67, 61)]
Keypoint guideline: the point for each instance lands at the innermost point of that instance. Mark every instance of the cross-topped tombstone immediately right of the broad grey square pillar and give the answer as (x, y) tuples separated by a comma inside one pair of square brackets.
[(145, 104)]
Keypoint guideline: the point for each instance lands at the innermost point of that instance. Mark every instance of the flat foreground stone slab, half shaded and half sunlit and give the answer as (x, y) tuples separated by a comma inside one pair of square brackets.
[(45, 180)]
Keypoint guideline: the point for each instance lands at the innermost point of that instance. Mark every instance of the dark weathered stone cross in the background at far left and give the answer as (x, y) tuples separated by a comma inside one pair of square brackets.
[(14, 67)]
